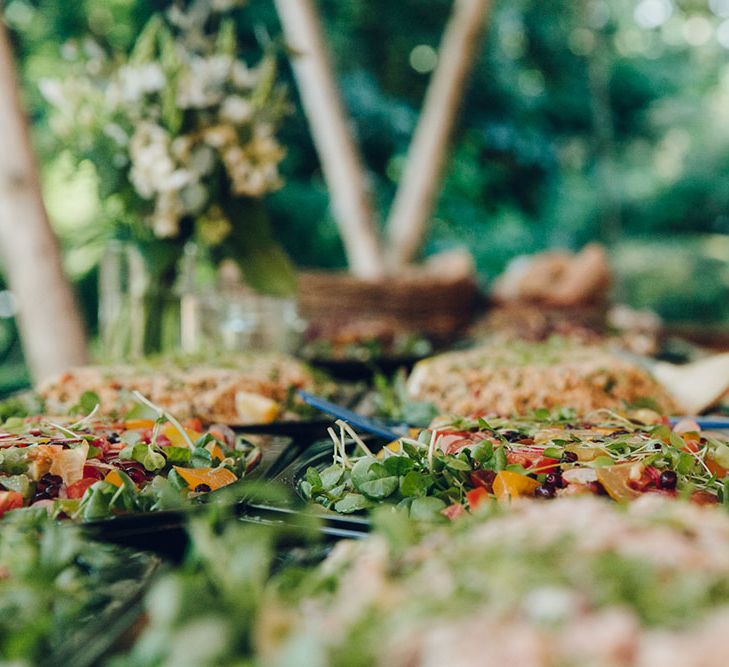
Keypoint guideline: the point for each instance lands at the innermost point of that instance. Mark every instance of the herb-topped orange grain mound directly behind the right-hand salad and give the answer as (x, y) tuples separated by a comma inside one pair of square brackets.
[(517, 377)]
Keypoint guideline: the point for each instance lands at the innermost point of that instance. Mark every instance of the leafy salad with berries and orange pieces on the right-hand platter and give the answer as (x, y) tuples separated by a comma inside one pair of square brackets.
[(457, 464)]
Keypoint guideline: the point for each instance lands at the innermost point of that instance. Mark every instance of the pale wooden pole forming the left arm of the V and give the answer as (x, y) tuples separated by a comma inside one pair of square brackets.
[(340, 161)]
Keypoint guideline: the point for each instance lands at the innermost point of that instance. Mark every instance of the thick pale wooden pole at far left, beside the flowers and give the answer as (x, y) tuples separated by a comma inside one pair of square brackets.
[(51, 329)]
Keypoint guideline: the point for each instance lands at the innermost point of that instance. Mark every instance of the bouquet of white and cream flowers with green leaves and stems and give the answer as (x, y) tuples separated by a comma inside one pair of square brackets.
[(182, 135)]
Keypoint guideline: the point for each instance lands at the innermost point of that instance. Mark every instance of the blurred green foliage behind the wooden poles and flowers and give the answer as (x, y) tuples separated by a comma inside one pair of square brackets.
[(583, 120)]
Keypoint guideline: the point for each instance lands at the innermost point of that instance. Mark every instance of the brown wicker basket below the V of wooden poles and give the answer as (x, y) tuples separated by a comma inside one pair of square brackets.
[(428, 305)]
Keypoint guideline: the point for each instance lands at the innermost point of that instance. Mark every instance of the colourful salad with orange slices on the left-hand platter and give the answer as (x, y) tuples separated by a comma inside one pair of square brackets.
[(90, 469)]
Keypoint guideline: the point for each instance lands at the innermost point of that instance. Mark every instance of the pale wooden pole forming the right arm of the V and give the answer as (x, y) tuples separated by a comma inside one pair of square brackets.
[(421, 181)]
